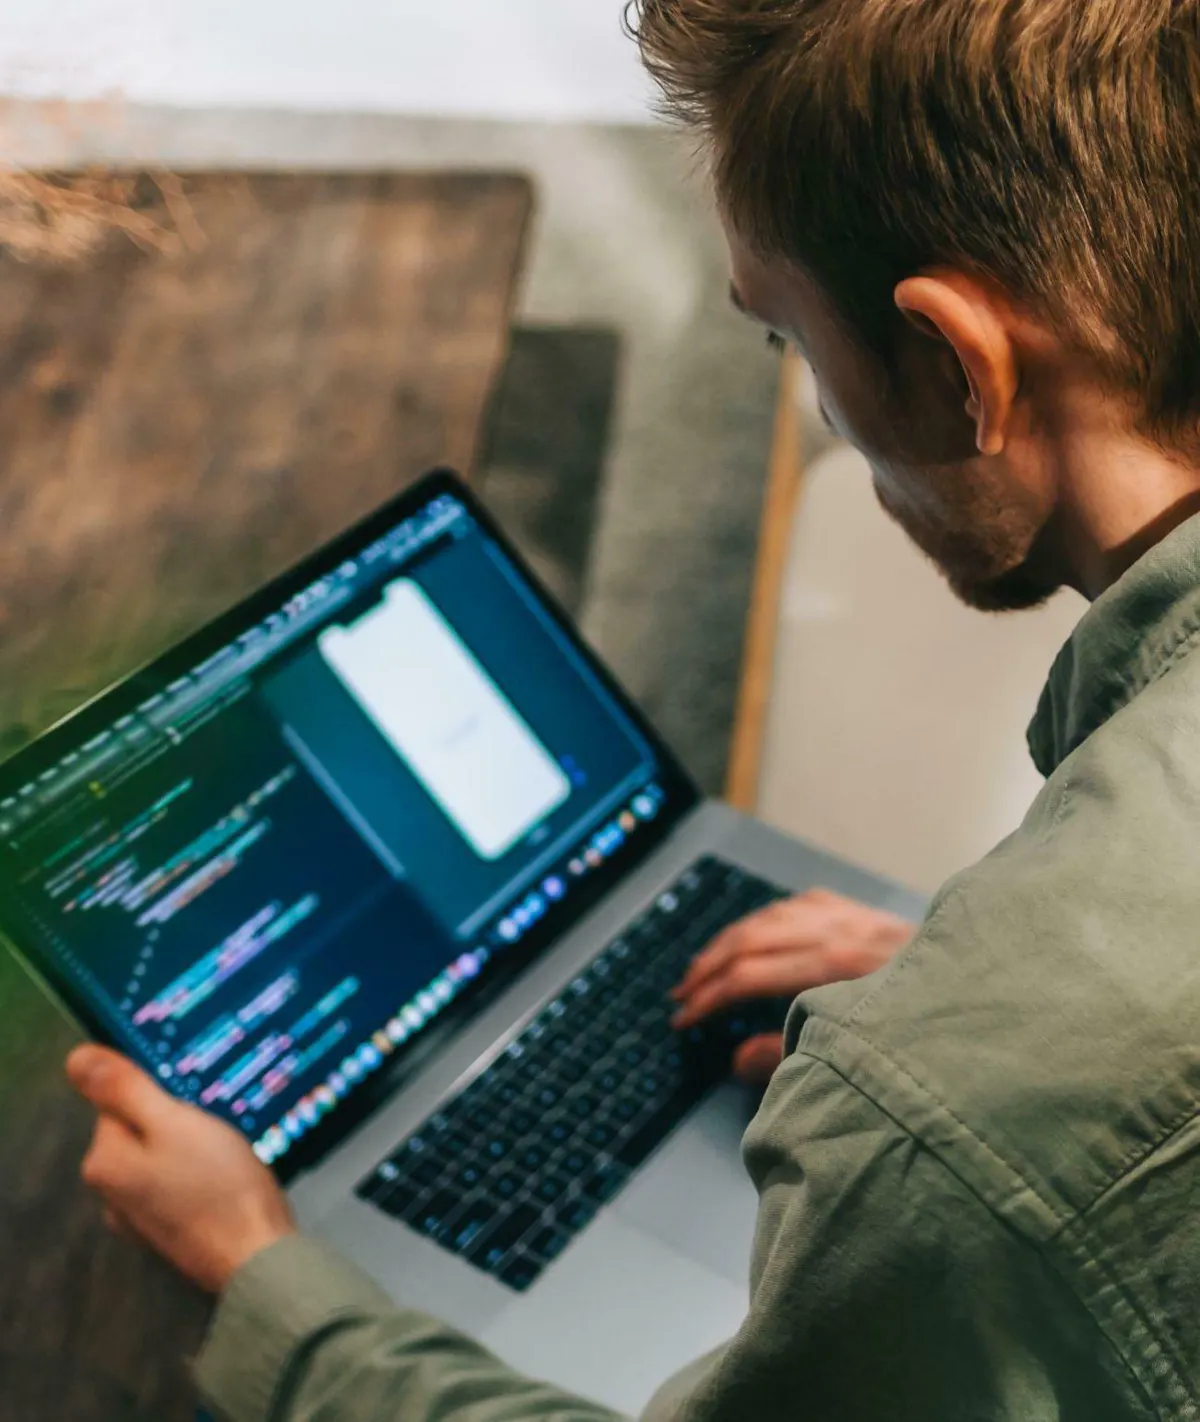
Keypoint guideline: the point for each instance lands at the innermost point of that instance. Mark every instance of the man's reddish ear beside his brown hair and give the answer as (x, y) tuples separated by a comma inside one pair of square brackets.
[(958, 311)]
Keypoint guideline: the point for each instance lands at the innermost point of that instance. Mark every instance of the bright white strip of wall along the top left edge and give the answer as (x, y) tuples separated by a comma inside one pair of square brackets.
[(504, 59)]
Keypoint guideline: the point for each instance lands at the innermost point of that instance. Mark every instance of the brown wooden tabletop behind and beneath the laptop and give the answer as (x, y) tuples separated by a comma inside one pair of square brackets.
[(174, 430)]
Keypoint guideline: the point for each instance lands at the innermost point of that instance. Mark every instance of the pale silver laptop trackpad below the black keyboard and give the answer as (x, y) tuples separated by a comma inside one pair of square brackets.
[(618, 1316)]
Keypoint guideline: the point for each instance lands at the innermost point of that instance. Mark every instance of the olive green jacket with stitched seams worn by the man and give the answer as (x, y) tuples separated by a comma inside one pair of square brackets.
[(979, 1170)]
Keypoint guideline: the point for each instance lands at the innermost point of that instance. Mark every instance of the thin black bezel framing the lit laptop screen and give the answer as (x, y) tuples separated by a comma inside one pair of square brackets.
[(70, 734)]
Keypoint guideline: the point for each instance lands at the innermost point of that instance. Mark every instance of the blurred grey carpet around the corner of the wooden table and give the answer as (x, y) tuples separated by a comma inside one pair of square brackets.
[(650, 530)]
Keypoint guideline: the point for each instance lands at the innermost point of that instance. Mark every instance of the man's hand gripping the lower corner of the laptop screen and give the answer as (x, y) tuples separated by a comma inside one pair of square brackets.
[(184, 1182)]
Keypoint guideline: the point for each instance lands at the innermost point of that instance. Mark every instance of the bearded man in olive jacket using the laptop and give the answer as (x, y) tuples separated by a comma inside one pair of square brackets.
[(979, 1165)]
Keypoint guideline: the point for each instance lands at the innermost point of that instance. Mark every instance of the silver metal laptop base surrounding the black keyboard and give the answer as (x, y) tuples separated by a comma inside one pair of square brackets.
[(660, 1276)]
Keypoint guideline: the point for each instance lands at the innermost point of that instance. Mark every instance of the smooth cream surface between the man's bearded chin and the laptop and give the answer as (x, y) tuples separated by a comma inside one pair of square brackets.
[(896, 733)]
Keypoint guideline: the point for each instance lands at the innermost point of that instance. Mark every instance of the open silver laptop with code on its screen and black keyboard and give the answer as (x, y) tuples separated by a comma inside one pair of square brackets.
[(386, 870)]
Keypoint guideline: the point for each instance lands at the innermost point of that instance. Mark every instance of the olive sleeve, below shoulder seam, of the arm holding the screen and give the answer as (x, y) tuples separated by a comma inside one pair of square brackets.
[(882, 1288)]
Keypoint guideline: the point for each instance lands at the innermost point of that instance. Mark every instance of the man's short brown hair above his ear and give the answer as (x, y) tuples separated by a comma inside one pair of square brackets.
[(1053, 146)]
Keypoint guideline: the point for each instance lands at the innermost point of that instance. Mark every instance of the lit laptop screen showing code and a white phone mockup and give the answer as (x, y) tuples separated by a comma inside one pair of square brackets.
[(267, 871)]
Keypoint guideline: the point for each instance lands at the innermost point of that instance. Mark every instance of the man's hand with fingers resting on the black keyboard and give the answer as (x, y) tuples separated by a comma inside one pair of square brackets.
[(786, 951)]
